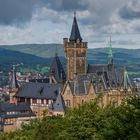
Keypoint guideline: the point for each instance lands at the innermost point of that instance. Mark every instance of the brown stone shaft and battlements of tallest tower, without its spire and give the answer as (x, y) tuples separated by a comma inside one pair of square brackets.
[(75, 53)]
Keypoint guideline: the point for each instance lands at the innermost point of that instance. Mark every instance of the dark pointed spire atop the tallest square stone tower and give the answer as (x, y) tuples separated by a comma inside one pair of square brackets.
[(75, 33)]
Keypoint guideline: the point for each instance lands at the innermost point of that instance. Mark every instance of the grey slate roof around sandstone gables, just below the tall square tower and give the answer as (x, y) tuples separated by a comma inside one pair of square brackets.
[(81, 84)]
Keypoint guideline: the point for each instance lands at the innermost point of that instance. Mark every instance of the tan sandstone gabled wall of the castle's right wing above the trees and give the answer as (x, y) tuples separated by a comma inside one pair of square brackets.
[(107, 97)]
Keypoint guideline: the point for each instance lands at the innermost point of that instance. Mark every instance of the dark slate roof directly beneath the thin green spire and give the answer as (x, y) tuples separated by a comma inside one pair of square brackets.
[(113, 77)]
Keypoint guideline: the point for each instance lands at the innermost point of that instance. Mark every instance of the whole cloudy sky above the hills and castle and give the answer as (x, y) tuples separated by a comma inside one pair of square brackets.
[(49, 21)]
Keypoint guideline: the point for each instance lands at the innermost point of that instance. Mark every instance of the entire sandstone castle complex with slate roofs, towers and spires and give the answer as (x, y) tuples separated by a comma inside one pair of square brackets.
[(80, 83)]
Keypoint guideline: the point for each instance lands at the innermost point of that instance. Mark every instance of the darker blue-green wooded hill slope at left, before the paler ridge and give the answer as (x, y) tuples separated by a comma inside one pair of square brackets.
[(8, 58)]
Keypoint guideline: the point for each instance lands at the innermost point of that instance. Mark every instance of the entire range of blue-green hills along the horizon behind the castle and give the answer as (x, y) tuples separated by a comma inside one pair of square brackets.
[(42, 54)]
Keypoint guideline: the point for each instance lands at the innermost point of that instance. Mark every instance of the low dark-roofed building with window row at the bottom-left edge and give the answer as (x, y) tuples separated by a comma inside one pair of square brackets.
[(12, 116)]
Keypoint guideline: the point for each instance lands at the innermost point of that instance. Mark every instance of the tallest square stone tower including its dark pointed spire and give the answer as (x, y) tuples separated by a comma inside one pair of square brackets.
[(75, 52)]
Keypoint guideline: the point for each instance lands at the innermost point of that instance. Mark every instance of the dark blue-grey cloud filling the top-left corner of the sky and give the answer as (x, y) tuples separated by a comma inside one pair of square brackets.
[(16, 11)]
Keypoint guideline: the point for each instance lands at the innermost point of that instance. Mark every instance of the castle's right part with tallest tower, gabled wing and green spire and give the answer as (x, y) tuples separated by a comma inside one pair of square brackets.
[(86, 81)]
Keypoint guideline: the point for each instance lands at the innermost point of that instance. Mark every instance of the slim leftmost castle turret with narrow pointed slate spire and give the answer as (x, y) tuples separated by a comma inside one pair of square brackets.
[(13, 87)]
